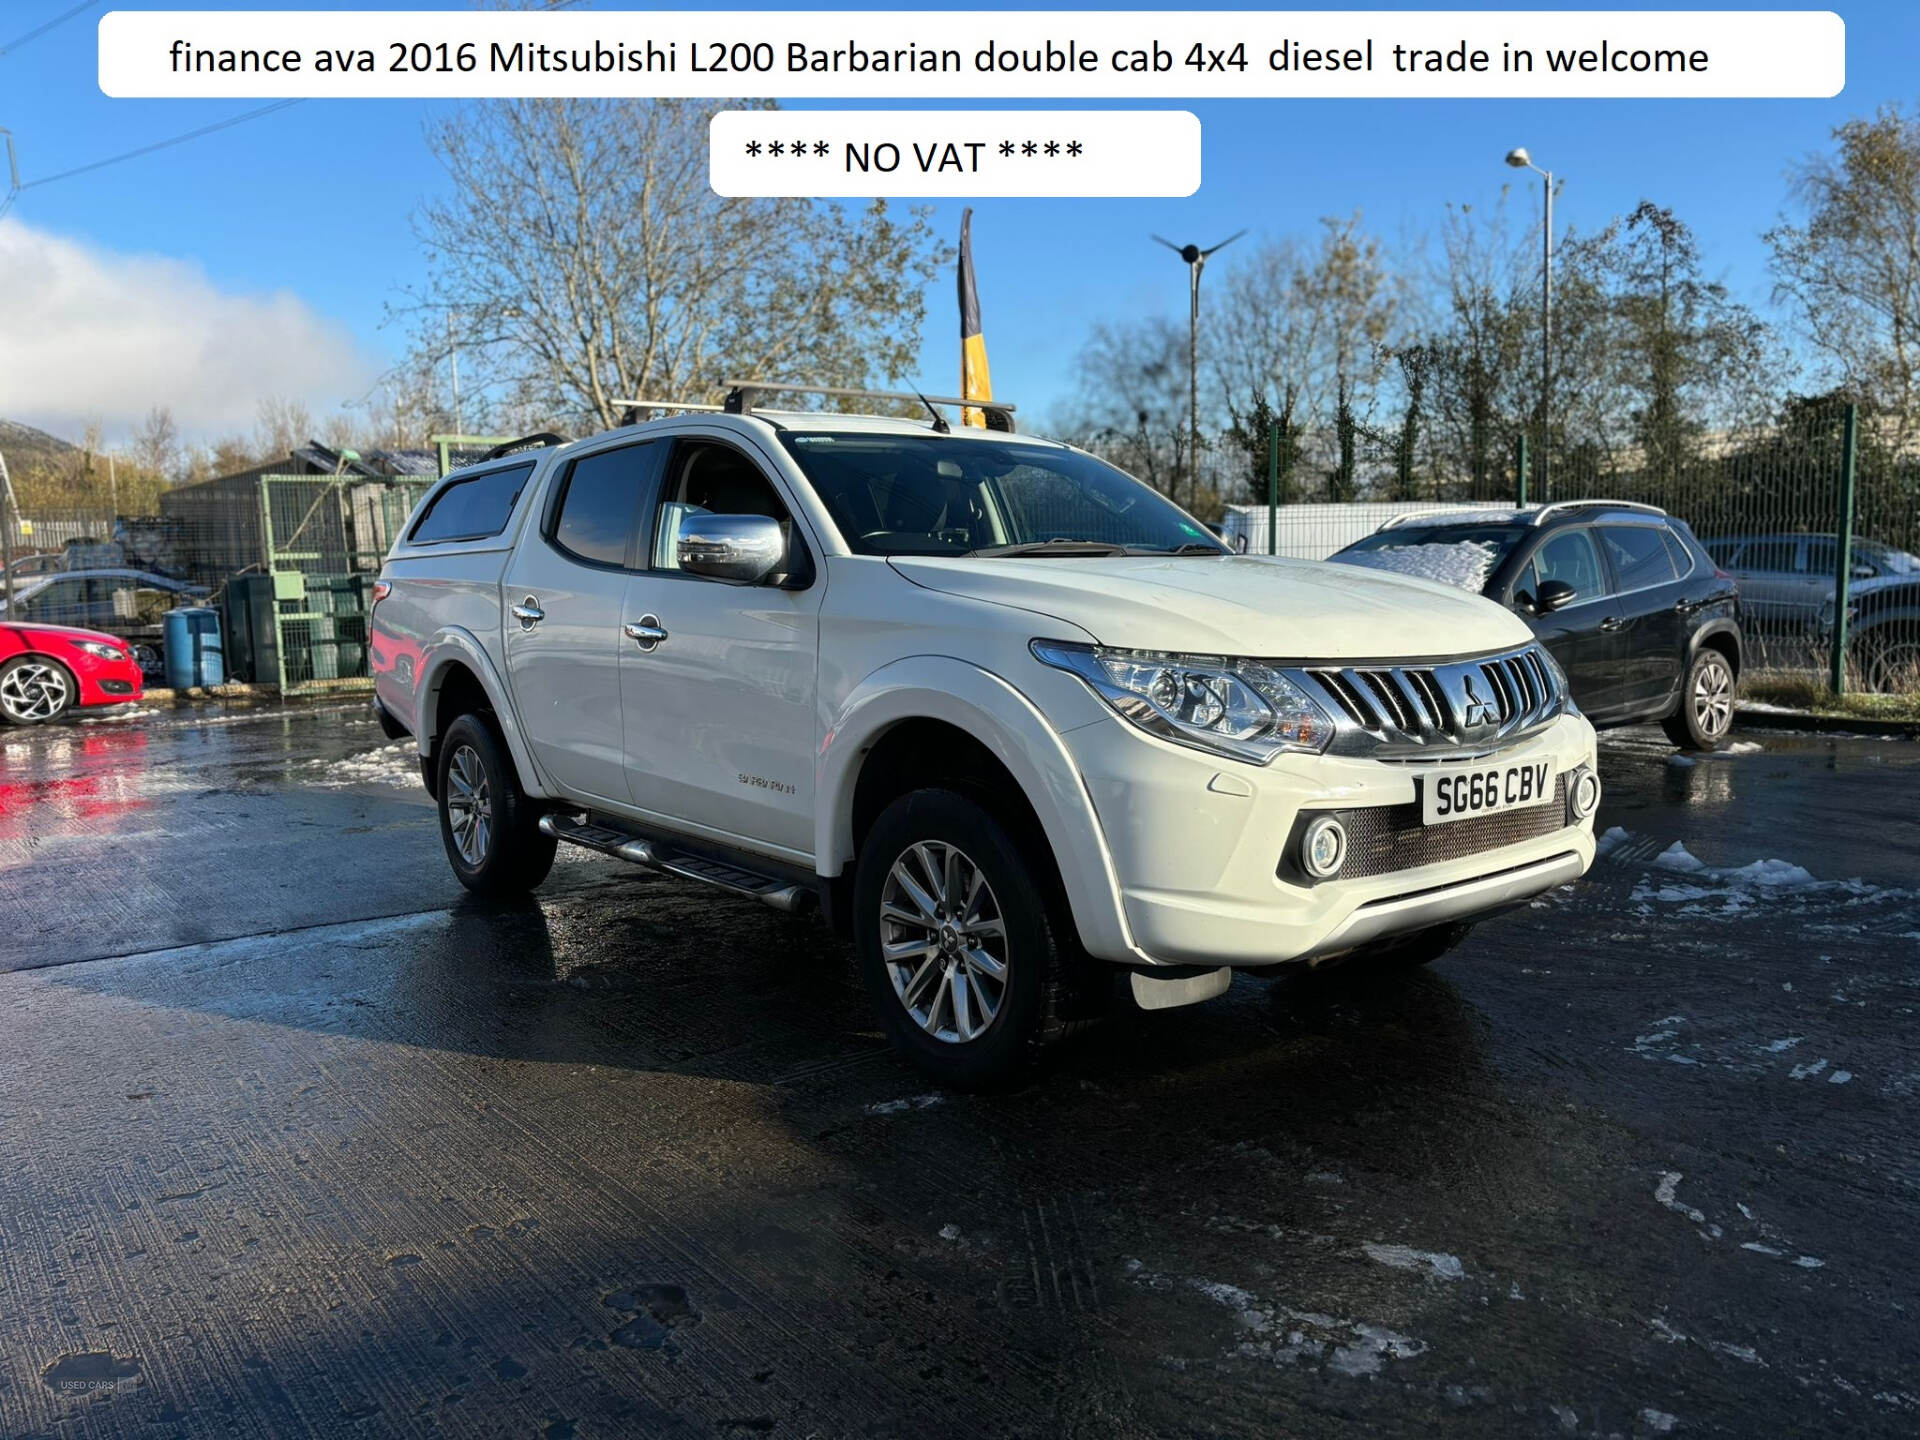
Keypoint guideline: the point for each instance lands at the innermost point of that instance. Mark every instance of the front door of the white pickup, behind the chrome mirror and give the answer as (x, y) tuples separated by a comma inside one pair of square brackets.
[(721, 723)]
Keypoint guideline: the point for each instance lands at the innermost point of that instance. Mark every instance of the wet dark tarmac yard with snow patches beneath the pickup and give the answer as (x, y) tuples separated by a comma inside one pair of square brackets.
[(295, 1140)]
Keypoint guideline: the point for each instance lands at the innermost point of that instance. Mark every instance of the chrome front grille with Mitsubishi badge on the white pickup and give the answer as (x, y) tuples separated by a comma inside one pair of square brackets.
[(1403, 711)]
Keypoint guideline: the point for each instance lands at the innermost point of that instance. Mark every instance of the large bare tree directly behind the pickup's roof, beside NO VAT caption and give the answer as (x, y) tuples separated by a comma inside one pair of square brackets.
[(585, 260)]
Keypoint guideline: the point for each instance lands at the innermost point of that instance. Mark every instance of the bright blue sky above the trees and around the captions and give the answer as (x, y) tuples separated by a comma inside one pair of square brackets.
[(306, 214)]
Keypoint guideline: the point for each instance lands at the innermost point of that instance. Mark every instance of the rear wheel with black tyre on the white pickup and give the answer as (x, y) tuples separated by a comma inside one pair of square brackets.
[(487, 823)]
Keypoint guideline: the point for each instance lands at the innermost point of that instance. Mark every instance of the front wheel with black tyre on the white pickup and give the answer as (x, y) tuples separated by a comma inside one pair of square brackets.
[(957, 942)]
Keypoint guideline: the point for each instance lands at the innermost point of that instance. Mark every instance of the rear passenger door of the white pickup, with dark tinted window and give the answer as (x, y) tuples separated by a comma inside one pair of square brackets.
[(564, 600)]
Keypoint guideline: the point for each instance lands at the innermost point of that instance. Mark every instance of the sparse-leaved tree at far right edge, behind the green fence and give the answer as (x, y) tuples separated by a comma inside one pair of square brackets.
[(1852, 270)]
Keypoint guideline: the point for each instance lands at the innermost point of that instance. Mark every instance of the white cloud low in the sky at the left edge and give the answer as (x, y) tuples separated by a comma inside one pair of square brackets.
[(91, 333)]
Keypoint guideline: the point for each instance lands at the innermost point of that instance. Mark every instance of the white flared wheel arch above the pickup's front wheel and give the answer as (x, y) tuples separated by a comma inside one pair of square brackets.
[(871, 754)]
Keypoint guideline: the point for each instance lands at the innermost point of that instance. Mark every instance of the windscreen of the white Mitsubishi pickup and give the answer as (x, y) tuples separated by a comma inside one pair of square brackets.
[(938, 496)]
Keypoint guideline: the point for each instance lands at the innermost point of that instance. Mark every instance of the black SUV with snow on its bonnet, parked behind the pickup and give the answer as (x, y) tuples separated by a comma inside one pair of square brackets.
[(1627, 600)]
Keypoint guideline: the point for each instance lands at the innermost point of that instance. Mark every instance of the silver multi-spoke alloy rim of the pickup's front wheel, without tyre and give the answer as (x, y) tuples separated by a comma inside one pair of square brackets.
[(944, 942)]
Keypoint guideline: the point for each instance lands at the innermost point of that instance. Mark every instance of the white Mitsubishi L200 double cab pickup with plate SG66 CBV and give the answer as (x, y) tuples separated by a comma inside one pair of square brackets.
[(1009, 717)]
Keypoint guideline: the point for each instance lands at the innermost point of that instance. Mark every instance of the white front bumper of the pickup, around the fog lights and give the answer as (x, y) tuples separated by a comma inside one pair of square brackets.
[(1199, 850)]
